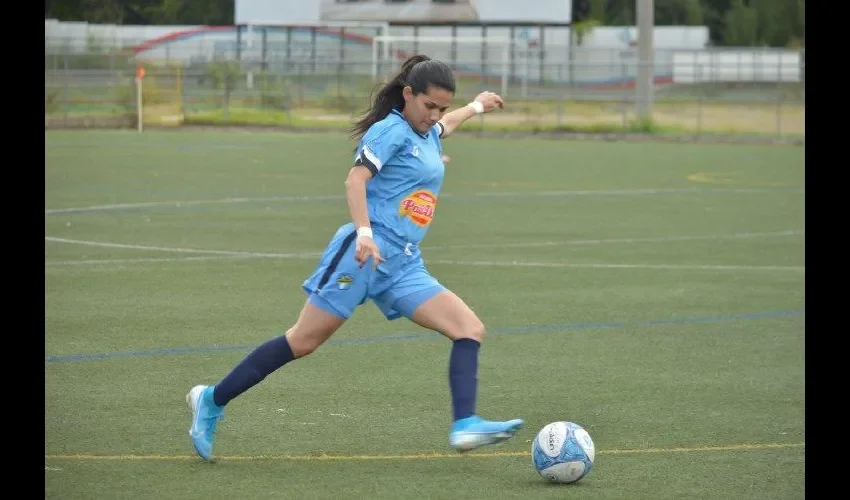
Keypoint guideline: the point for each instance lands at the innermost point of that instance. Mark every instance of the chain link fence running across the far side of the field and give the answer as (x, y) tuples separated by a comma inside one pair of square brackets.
[(712, 91)]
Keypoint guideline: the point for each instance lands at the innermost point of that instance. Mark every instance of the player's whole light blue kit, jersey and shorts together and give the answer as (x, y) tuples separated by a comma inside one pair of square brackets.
[(401, 197)]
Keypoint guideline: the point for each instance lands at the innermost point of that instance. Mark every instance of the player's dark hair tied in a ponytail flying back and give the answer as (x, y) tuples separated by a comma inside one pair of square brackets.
[(420, 72)]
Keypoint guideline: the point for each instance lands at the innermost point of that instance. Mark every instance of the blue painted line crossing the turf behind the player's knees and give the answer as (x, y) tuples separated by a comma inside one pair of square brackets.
[(402, 337)]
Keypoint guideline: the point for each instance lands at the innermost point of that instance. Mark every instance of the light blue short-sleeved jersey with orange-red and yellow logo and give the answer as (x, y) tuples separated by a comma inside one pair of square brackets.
[(408, 170)]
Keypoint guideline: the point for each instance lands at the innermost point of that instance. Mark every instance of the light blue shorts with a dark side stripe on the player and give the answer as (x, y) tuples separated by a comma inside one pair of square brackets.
[(398, 286)]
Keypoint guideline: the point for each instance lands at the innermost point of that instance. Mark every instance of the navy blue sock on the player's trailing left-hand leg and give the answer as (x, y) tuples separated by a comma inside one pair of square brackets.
[(253, 369)]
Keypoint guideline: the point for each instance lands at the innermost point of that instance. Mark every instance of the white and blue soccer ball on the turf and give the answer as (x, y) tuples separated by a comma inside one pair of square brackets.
[(563, 452)]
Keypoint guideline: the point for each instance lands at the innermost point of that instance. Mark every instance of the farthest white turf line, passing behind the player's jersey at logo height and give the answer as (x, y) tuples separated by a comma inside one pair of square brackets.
[(483, 194)]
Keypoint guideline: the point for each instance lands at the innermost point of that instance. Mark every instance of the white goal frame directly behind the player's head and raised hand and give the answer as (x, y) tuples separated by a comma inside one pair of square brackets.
[(387, 50)]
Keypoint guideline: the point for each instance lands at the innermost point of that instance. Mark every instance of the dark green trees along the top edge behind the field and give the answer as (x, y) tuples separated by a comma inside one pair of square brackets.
[(773, 23)]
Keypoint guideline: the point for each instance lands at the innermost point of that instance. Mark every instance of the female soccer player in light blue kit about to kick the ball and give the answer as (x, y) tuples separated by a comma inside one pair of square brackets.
[(392, 193)]
